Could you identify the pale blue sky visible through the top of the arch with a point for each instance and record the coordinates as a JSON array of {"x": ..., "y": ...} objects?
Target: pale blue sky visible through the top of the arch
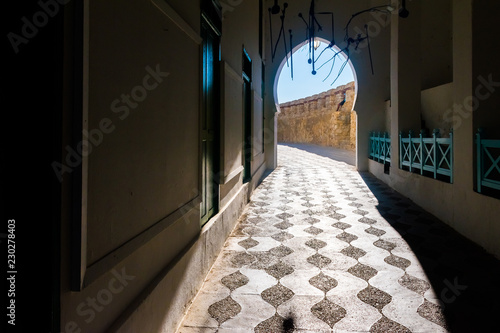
[{"x": 304, "y": 84}]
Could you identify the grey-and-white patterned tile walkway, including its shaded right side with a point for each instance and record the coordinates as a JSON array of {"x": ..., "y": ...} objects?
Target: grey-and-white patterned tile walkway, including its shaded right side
[{"x": 323, "y": 248}]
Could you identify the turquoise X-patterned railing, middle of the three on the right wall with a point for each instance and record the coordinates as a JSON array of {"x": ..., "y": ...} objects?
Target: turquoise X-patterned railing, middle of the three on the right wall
[{"x": 434, "y": 155}]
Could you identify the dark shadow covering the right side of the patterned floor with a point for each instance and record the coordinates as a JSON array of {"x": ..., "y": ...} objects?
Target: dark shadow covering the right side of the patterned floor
[{"x": 464, "y": 277}]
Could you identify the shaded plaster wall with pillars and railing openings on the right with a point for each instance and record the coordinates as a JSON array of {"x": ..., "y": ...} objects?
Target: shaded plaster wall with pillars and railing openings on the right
[{"x": 473, "y": 215}]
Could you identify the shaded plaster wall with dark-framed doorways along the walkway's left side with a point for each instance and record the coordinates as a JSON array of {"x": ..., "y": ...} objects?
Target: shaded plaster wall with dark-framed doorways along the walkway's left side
[{"x": 143, "y": 245}]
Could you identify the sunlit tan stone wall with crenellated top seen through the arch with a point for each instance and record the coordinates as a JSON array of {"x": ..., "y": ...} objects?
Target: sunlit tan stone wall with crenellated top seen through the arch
[{"x": 315, "y": 119}]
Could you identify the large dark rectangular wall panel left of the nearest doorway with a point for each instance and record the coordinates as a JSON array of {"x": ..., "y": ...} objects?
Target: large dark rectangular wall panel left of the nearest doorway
[{"x": 133, "y": 176}]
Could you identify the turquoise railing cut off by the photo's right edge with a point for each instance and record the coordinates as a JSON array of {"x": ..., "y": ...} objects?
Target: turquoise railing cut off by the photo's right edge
[{"x": 488, "y": 161}]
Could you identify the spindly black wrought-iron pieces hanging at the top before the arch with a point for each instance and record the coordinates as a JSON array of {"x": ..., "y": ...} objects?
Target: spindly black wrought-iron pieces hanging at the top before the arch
[{"x": 313, "y": 26}]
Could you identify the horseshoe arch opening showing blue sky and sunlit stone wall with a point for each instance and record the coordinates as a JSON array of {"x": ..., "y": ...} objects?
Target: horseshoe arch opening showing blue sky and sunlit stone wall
[{"x": 315, "y": 100}]
